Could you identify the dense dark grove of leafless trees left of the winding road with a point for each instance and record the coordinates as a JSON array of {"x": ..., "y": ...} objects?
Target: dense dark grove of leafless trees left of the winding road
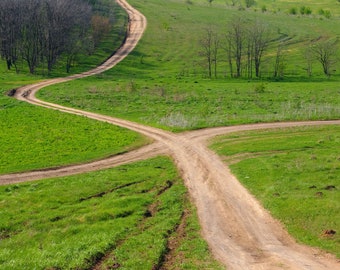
[{"x": 38, "y": 32}]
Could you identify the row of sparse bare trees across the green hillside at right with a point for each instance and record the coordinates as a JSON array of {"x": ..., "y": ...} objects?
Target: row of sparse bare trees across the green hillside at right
[{"x": 245, "y": 42}]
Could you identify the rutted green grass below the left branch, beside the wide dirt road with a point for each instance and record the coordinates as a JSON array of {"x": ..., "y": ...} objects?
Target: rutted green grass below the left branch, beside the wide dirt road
[{"x": 71, "y": 222}]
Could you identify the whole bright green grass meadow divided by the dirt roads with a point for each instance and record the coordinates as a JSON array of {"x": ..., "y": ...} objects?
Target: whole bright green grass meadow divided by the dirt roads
[{"x": 163, "y": 83}]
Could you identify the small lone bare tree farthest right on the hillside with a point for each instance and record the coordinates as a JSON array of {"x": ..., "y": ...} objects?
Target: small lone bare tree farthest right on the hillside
[{"x": 325, "y": 53}]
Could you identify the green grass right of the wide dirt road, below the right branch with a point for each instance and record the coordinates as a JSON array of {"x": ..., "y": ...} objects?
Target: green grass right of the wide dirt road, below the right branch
[{"x": 292, "y": 172}]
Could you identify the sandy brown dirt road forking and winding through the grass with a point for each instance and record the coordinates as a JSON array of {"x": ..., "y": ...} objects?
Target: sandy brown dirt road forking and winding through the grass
[{"x": 241, "y": 234}]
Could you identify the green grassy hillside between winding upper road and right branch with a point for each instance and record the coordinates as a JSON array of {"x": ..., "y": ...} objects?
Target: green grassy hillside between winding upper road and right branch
[{"x": 162, "y": 83}]
